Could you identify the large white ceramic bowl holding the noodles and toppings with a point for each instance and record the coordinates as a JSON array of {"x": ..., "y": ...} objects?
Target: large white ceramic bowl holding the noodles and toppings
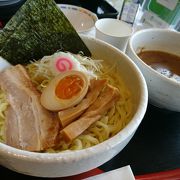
[{"x": 74, "y": 162}]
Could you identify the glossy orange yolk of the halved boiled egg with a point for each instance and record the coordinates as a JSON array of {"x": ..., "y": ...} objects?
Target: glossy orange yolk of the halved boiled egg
[{"x": 69, "y": 86}]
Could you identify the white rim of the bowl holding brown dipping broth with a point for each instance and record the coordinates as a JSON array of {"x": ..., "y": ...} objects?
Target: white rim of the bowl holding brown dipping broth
[{"x": 164, "y": 78}]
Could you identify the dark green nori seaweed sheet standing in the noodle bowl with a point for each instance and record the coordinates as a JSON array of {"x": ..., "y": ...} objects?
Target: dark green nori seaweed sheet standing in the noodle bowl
[{"x": 39, "y": 28}]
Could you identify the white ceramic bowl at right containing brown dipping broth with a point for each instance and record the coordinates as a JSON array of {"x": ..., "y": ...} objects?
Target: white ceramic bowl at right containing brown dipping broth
[{"x": 163, "y": 91}]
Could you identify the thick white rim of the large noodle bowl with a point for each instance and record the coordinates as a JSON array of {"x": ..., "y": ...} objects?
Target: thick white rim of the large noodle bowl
[{"x": 76, "y": 155}]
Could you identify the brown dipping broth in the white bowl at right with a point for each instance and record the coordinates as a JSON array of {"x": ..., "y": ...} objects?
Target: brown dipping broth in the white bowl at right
[{"x": 163, "y": 62}]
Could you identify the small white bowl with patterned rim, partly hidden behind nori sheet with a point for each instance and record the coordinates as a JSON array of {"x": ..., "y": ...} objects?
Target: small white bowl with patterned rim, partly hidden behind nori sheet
[{"x": 82, "y": 19}]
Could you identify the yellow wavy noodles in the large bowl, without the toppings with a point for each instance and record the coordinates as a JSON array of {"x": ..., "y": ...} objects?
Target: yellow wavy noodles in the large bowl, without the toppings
[{"x": 109, "y": 125}]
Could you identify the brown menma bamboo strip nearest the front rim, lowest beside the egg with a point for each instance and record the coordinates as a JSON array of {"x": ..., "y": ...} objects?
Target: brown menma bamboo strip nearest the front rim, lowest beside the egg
[{"x": 102, "y": 104}]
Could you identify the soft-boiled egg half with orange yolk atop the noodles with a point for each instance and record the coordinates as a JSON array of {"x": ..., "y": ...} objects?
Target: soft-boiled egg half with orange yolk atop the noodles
[{"x": 65, "y": 90}]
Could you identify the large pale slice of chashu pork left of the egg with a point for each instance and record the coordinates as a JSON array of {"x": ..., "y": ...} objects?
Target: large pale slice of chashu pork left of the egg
[{"x": 28, "y": 125}]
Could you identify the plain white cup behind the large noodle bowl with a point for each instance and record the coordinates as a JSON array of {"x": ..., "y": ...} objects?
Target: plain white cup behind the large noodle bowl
[{"x": 114, "y": 32}]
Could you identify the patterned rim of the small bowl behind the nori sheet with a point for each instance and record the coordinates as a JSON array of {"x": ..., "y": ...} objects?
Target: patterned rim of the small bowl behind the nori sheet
[{"x": 91, "y": 14}]
